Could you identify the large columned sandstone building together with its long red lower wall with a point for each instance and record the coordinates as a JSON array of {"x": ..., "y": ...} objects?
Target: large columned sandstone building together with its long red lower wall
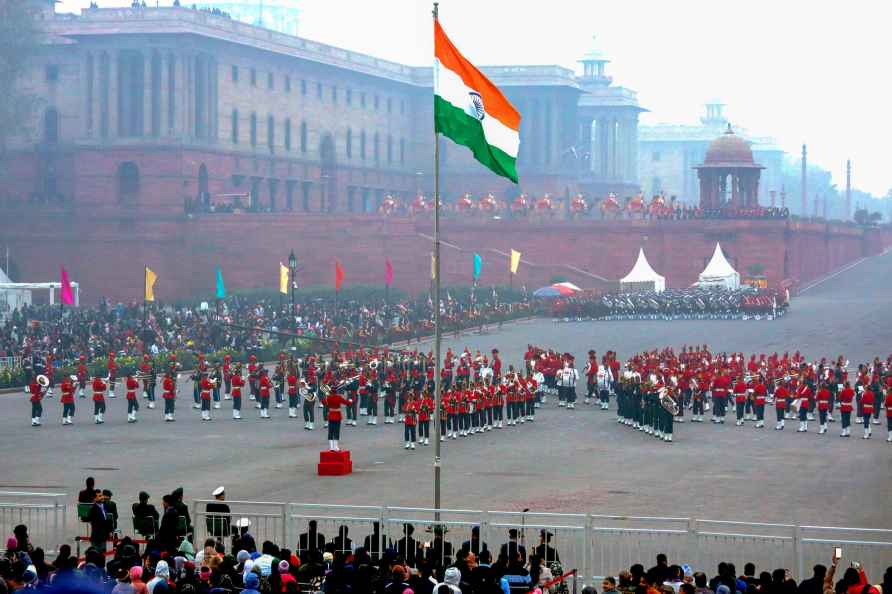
[{"x": 143, "y": 111}]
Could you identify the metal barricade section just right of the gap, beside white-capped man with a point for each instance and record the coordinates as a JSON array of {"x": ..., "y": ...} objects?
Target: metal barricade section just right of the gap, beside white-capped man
[{"x": 269, "y": 520}]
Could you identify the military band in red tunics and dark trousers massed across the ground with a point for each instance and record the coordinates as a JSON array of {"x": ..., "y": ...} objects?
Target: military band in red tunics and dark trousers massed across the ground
[{"x": 653, "y": 390}]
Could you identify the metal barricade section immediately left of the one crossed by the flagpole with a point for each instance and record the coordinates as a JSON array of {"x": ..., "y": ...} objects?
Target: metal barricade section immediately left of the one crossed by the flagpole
[{"x": 313, "y": 527}]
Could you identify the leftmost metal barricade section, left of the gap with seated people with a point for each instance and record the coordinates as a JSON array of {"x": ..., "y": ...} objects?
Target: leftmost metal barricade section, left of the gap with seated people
[{"x": 44, "y": 514}]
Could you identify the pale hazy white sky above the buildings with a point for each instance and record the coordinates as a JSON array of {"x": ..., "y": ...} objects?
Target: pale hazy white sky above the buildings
[{"x": 801, "y": 71}]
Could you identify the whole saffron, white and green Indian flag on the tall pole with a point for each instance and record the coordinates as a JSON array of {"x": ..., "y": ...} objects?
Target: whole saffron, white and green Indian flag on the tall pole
[{"x": 472, "y": 111}]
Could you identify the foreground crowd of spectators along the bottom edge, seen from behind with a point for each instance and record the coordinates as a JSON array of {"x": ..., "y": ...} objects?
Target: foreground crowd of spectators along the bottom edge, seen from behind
[{"x": 230, "y": 566}]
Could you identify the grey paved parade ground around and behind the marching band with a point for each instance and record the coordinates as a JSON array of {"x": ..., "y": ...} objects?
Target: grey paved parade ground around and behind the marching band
[{"x": 580, "y": 461}]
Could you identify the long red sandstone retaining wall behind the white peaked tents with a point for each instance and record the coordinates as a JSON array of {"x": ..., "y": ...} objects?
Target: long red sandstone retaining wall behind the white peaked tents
[{"x": 107, "y": 254}]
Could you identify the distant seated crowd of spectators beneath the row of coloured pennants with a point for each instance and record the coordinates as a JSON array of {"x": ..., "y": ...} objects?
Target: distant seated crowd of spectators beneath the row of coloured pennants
[{"x": 34, "y": 331}]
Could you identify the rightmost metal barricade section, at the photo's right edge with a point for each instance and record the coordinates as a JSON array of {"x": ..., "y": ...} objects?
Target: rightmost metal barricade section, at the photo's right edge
[{"x": 872, "y": 547}]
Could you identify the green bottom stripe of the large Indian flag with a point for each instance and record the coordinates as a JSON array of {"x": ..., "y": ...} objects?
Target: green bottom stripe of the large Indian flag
[{"x": 456, "y": 124}]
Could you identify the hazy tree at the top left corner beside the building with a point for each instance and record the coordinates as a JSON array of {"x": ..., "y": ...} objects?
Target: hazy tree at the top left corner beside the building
[{"x": 18, "y": 43}]
